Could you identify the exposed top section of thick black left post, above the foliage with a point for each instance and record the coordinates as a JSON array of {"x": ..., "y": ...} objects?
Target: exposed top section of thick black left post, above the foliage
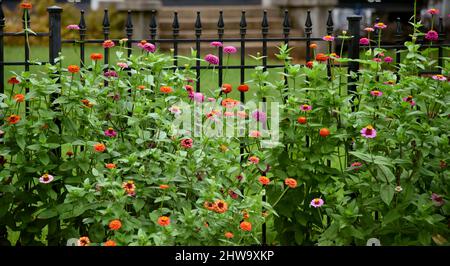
[{"x": 54, "y": 13}]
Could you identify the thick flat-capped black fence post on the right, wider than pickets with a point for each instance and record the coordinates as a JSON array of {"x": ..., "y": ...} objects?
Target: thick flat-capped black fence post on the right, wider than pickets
[{"x": 354, "y": 28}]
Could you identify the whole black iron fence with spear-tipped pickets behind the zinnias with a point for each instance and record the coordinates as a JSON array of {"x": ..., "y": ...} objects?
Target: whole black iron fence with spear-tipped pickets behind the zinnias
[{"x": 353, "y": 48}]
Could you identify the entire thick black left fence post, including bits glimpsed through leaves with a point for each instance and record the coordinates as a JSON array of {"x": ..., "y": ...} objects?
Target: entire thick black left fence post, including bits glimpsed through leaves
[{"x": 54, "y": 12}]
